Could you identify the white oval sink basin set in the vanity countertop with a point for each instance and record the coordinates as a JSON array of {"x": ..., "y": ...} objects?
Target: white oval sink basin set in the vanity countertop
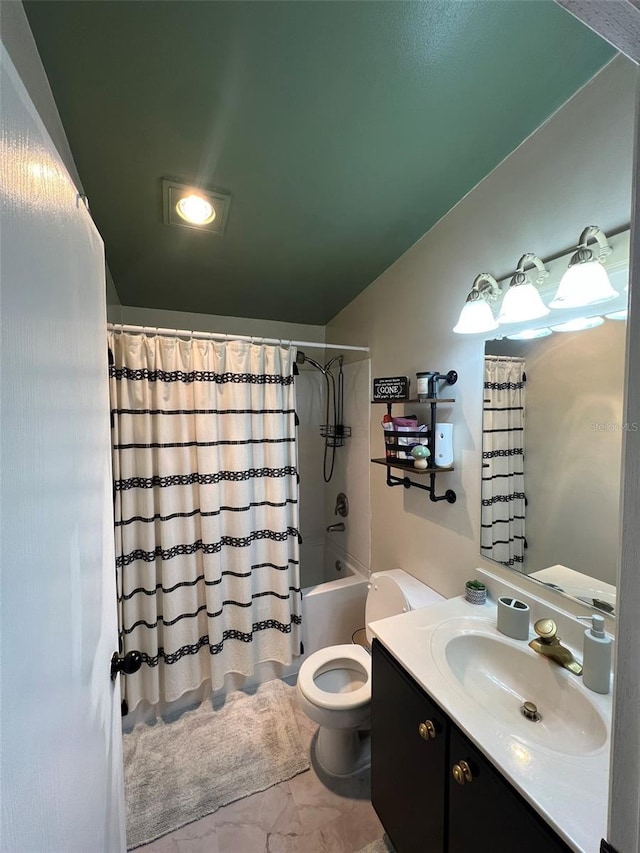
[{"x": 500, "y": 675}]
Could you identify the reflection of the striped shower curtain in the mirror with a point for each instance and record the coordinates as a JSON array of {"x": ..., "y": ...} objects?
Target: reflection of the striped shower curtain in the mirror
[{"x": 503, "y": 500}]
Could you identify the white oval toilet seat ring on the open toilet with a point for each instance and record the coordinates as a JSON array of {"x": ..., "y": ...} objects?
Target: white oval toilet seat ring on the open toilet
[{"x": 335, "y": 657}]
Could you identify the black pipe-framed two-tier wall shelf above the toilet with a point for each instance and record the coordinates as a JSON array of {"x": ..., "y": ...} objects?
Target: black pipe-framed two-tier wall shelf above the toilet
[{"x": 392, "y": 442}]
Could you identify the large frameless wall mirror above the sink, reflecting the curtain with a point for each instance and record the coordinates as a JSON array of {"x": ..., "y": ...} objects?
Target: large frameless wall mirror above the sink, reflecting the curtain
[{"x": 552, "y": 458}]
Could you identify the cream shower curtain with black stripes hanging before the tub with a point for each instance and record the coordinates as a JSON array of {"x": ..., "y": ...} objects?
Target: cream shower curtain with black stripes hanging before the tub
[{"x": 206, "y": 509}]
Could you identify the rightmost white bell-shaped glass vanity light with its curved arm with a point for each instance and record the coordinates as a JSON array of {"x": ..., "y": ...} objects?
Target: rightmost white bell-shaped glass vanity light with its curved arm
[{"x": 586, "y": 281}]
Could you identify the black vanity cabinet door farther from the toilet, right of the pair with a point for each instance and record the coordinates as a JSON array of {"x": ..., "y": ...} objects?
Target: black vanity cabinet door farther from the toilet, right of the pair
[{"x": 486, "y": 813}]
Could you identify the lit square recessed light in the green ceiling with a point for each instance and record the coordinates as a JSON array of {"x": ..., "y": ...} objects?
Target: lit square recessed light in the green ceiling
[{"x": 189, "y": 206}]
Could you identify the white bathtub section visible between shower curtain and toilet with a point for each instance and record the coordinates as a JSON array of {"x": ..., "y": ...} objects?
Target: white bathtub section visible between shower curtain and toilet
[{"x": 334, "y": 608}]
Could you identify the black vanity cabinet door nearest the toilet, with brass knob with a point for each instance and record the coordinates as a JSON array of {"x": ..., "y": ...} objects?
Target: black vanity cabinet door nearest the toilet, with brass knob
[{"x": 407, "y": 768}]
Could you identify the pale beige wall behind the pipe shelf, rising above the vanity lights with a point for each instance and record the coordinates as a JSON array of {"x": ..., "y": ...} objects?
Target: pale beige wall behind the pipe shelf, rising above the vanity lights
[{"x": 576, "y": 170}]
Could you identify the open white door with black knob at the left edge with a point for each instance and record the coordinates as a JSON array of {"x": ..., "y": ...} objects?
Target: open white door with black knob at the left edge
[{"x": 61, "y": 784}]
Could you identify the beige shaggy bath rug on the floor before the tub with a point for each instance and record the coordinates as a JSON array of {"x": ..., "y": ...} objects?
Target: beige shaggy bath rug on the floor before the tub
[{"x": 181, "y": 768}]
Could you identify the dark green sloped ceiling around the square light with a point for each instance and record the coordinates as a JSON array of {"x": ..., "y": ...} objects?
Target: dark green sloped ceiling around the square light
[{"x": 343, "y": 131}]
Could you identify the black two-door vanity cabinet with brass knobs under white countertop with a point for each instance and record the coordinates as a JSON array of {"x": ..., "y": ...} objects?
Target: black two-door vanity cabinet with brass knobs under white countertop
[{"x": 419, "y": 802}]
